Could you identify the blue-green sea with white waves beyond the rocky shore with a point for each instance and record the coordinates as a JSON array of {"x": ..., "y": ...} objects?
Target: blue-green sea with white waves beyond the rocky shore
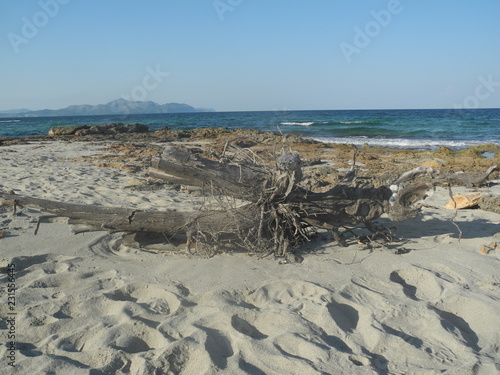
[{"x": 416, "y": 128}]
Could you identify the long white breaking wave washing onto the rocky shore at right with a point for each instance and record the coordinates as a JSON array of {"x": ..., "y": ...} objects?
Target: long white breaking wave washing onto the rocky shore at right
[{"x": 423, "y": 144}]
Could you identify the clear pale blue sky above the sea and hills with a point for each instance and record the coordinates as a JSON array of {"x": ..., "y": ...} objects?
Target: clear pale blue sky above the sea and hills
[{"x": 251, "y": 54}]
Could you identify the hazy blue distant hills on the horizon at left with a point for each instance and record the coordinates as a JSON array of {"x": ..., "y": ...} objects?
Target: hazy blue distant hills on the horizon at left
[{"x": 115, "y": 107}]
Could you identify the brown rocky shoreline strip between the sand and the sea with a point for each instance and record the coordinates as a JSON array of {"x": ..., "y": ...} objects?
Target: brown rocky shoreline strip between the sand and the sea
[{"x": 134, "y": 146}]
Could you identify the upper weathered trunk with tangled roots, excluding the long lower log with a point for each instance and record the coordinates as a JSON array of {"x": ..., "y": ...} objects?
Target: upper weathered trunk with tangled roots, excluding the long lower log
[{"x": 287, "y": 210}]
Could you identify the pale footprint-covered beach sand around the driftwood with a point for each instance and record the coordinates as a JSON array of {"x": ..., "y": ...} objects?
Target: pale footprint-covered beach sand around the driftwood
[{"x": 86, "y": 305}]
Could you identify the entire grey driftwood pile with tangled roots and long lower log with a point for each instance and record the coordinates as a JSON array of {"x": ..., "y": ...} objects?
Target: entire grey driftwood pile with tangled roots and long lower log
[{"x": 278, "y": 214}]
